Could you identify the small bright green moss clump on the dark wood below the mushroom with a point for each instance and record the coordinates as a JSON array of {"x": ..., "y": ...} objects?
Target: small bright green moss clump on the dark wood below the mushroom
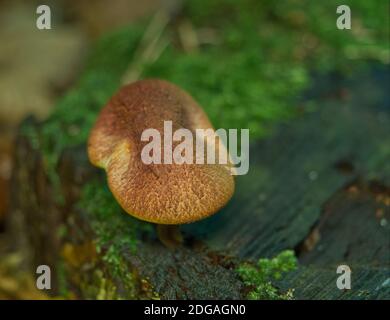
[{"x": 260, "y": 278}]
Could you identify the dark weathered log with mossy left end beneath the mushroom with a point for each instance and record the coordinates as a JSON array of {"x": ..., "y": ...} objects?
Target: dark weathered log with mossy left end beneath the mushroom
[{"x": 318, "y": 185}]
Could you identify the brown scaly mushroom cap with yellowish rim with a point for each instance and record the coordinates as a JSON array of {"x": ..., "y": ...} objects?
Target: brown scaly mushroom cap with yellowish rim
[{"x": 159, "y": 193}]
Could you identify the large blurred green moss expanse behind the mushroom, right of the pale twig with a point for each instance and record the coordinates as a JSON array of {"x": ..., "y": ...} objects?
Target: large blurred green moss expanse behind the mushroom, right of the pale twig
[{"x": 262, "y": 53}]
